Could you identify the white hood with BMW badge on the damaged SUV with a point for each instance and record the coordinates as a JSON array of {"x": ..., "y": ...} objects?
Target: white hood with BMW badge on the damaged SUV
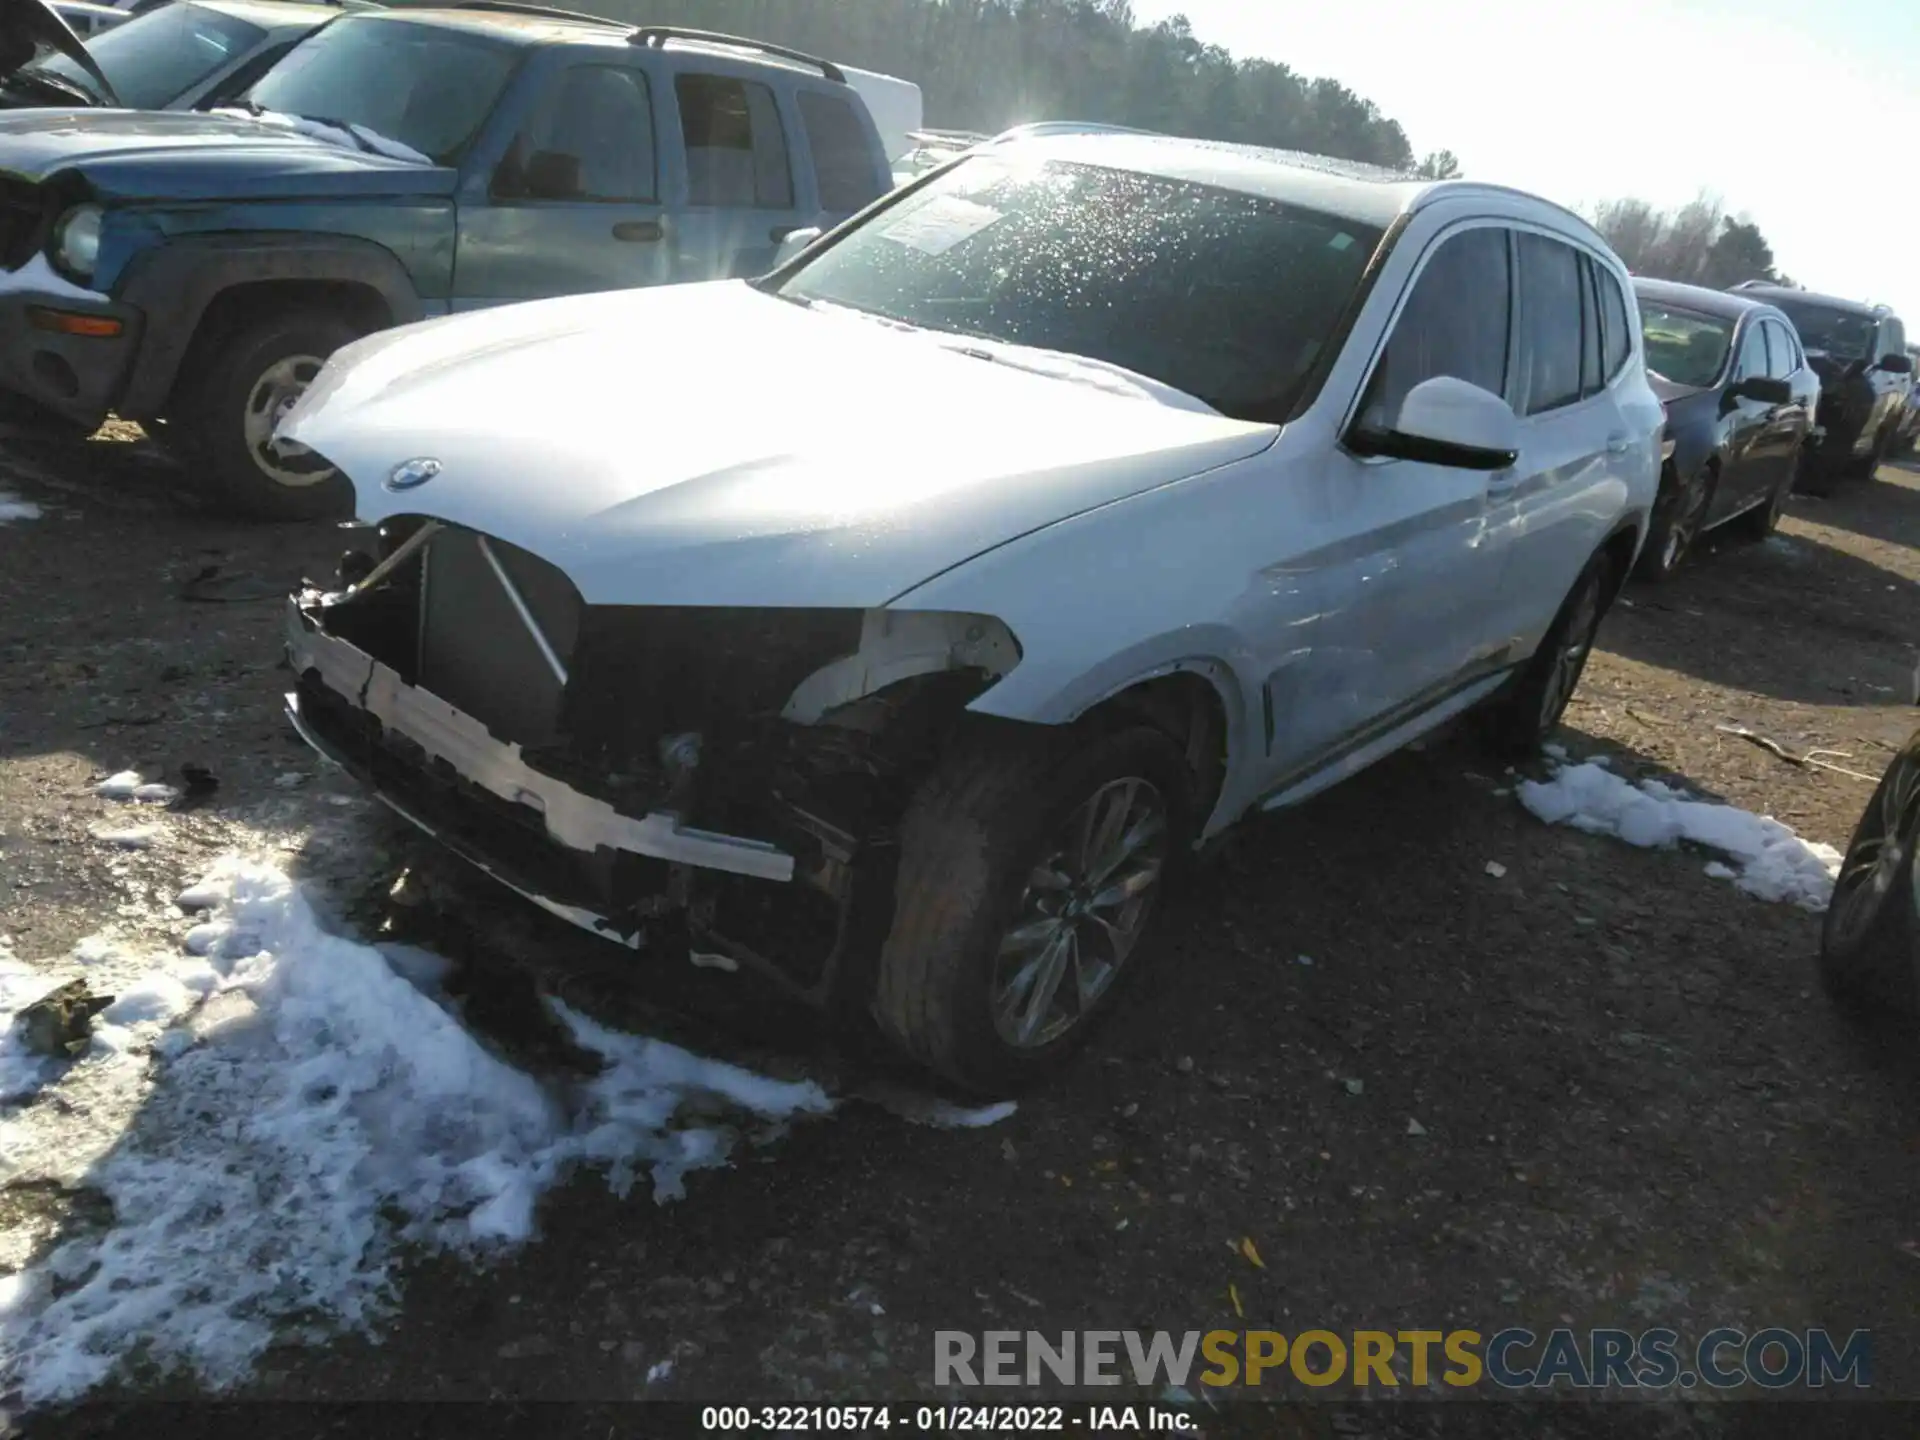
[{"x": 709, "y": 444}]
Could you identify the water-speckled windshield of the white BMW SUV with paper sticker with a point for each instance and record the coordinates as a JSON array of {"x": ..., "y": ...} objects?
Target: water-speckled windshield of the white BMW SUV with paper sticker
[{"x": 1226, "y": 297}]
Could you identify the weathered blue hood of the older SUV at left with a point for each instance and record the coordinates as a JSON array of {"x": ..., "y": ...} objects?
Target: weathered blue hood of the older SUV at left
[{"x": 172, "y": 155}]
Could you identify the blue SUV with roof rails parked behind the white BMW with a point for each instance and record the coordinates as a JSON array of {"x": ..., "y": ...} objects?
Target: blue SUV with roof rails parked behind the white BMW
[{"x": 193, "y": 272}]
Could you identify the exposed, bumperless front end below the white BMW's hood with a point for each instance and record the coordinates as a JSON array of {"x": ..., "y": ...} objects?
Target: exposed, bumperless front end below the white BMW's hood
[{"x": 669, "y": 777}]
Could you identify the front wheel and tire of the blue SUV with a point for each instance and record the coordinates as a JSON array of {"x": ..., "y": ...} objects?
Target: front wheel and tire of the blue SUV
[{"x": 252, "y": 377}]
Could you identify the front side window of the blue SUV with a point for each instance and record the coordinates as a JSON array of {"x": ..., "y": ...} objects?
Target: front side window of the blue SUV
[{"x": 592, "y": 139}]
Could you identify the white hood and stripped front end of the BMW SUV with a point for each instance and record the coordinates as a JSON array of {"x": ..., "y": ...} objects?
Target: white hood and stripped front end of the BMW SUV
[{"x": 650, "y": 658}]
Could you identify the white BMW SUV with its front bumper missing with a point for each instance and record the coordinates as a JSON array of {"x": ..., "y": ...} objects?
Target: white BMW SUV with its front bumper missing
[{"x": 896, "y": 625}]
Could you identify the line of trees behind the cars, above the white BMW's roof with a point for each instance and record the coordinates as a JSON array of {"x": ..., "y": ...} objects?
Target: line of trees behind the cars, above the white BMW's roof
[{"x": 992, "y": 64}]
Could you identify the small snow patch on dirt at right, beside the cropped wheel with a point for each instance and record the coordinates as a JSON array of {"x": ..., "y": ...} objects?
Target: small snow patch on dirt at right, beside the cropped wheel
[{"x": 1767, "y": 857}]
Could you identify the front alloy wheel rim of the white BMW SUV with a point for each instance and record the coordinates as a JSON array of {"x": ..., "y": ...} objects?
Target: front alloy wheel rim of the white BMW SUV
[{"x": 1082, "y": 913}]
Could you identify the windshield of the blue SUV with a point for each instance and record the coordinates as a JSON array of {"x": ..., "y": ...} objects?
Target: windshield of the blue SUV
[{"x": 423, "y": 85}]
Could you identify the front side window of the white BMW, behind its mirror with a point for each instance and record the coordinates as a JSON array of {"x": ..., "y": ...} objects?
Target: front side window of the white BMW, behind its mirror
[{"x": 1454, "y": 324}]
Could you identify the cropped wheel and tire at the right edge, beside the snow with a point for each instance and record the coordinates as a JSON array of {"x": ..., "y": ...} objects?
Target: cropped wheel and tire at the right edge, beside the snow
[{"x": 1871, "y": 936}]
